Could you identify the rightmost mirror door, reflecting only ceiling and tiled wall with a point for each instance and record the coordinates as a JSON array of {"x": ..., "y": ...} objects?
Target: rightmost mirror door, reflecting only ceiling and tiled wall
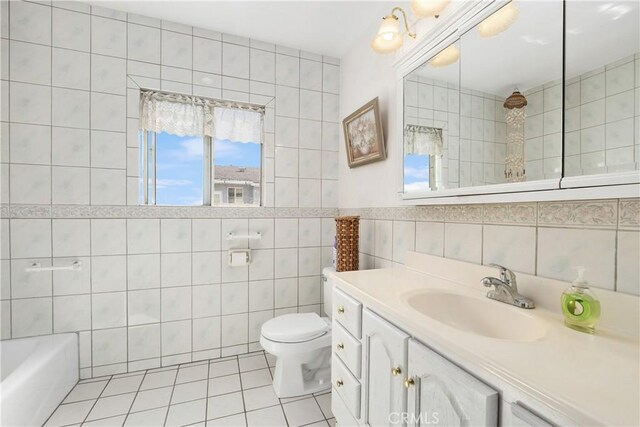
[{"x": 602, "y": 93}]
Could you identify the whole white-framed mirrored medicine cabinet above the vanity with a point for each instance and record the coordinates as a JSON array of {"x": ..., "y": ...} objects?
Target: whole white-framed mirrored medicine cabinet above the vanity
[{"x": 524, "y": 96}]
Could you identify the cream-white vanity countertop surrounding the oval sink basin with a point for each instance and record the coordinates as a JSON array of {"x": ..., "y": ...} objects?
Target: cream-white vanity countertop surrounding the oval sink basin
[{"x": 589, "y": 379}]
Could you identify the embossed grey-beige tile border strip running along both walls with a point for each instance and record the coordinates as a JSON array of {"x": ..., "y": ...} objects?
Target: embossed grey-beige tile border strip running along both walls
[{"x": 609, "y": 213}]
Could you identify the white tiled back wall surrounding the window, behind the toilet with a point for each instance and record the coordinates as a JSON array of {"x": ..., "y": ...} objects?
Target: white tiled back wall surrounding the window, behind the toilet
[{"x": 153, "y": 291}]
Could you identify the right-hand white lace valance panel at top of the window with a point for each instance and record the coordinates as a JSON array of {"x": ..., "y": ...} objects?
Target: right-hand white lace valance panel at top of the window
[{"x": 238, "y": 125}]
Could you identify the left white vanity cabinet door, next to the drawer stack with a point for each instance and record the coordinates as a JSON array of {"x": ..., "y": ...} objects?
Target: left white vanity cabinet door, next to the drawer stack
[{"x": 384, "y": 364}]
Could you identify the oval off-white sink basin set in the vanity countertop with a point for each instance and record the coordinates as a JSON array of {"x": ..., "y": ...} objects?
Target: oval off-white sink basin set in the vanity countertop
[{"x": 478, "y": 316}]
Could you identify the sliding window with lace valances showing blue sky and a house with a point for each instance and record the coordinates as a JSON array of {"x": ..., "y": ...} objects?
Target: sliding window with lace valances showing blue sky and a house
[{"x": 198, "y": 151}]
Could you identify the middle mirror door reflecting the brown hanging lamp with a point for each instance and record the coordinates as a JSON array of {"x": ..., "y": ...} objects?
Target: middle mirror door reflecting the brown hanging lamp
[{"x": 511, "y": 95}]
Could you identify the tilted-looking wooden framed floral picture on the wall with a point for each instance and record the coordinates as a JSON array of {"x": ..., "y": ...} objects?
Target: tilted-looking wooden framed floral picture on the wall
[{"x": 363, "y": 135}]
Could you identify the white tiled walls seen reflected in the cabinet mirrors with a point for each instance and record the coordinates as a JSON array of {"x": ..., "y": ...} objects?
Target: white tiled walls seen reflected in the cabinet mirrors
[{"x": 600, "y": 135}]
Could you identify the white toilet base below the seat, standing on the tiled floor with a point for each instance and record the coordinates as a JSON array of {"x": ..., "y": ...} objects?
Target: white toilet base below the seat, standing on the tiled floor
[{"x": 302, "y": 374}]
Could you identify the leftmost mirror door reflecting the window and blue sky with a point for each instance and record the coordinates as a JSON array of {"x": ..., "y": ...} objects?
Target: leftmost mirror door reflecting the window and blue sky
[{"x": 431, "y": 123}]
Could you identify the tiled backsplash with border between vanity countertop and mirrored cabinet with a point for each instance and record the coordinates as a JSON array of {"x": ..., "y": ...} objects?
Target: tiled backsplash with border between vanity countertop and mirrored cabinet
[{"x": 603, "y": 236}]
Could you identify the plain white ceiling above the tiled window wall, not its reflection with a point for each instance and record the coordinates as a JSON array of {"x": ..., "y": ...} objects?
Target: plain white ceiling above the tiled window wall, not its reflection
[{"x": 325, "y": 27}]
